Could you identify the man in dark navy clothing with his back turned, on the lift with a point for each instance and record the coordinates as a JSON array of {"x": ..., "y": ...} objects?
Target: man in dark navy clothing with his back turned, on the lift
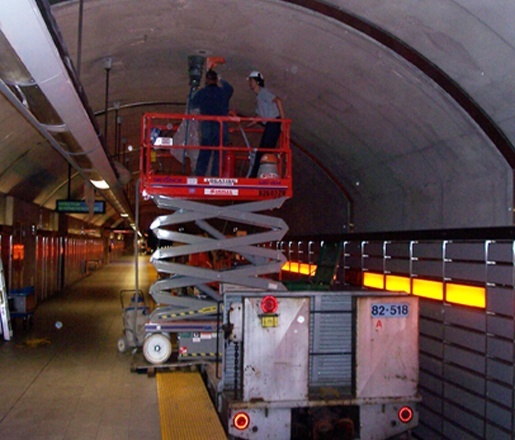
[{"x": 212, "y": 100}]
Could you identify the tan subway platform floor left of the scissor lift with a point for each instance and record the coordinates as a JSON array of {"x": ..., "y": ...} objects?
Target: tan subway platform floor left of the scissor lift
[{"x": 70, "y": 381}]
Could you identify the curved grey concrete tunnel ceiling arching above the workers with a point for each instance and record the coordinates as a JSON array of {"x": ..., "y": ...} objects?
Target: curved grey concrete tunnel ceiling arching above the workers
[{"x": 401, "y": 110}]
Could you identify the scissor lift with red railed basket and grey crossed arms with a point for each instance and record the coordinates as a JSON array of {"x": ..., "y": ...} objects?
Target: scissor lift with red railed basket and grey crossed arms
[{"x": 170, "y": 150}]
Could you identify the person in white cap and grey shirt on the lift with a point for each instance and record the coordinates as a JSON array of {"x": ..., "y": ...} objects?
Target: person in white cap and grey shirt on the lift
[{"x": 268, "y": 106}]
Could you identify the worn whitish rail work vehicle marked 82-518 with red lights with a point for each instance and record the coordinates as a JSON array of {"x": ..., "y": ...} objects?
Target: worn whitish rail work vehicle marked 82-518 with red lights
[{"x": 319, "y": 365}]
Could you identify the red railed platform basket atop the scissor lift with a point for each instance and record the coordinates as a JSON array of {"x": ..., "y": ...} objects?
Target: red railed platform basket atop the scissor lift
[{"x": 166, "y": 162}]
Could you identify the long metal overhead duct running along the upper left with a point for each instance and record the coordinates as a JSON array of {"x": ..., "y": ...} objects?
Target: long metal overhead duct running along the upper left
[{"x": 35, "y": 78}]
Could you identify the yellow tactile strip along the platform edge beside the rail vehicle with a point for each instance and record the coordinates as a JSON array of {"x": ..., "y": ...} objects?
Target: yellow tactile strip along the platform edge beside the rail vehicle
[{"x": 185, "y": 408}]
